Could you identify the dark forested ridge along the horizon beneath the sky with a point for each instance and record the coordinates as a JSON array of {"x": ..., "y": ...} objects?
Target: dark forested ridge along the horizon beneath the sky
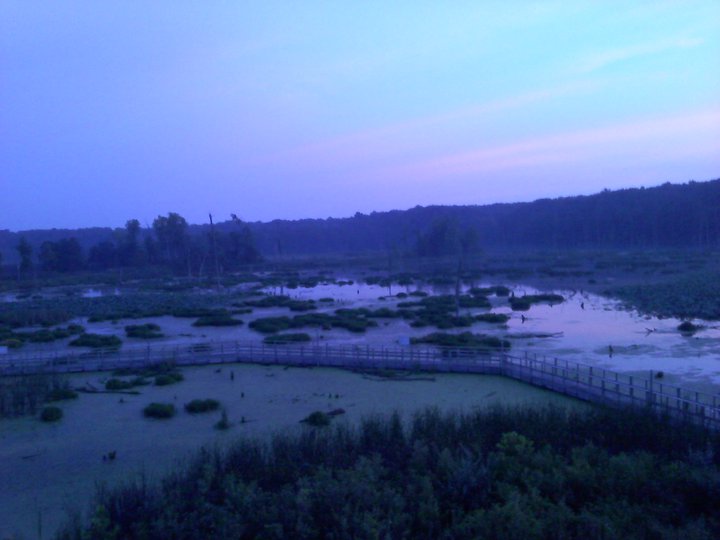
[{"x": 671, "y": 215}]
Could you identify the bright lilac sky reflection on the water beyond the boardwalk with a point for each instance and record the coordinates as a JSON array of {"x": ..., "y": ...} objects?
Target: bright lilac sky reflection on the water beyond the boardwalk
[{"x": 583, "y": 328}]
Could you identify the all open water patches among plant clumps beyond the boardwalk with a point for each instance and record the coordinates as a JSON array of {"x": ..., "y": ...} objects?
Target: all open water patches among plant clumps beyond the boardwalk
[{"x": 585, "y": 328}]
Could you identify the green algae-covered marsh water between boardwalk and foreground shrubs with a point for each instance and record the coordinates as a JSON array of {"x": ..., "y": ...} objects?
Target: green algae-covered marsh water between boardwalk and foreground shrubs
[{"x": 50, "y": 470}]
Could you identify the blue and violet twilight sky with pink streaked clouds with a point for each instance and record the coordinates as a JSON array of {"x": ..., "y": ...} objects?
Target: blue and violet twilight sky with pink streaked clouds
[{"x": 284, "y": 110}]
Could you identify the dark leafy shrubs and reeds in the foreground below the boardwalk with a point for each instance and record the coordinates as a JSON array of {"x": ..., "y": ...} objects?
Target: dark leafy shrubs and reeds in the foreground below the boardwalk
[{"x": 524, "y": 474}]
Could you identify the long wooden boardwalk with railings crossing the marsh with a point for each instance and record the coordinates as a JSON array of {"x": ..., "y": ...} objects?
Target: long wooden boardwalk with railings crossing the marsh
[{"x": 570, "y": 378}]
